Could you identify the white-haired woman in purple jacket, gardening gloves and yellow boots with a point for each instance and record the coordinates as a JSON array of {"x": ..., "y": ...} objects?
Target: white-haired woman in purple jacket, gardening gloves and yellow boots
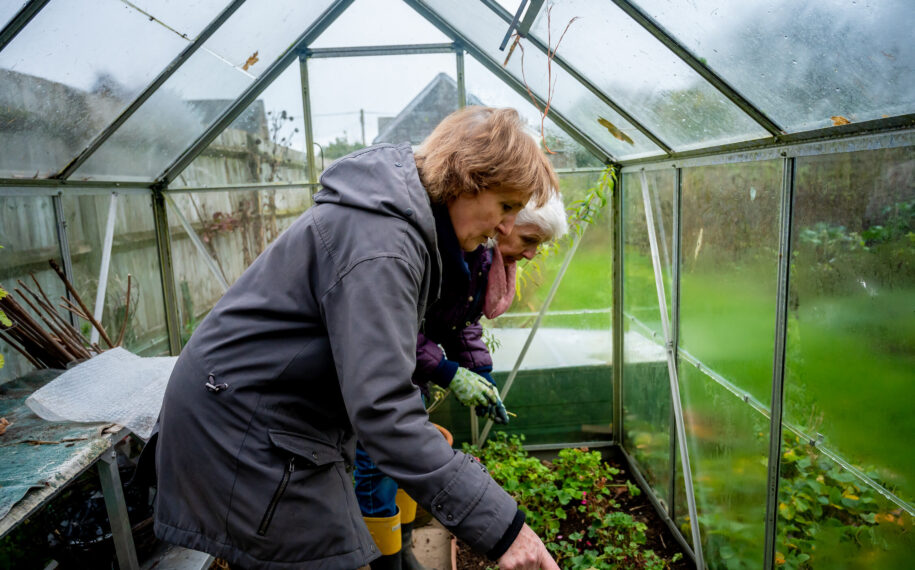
[{"x": 451, "y": 353}]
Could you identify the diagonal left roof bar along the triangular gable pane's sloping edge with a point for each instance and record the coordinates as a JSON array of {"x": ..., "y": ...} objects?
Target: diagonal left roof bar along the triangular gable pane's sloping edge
[{"x": 252, "y": 92}]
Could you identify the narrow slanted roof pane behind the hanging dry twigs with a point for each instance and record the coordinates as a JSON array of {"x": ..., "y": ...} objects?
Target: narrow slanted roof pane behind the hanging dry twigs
[{"x": 486, "y": 30}]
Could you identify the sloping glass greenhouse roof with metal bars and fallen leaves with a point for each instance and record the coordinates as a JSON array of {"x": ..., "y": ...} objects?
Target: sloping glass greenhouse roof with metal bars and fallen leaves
[{"x": 629, "y": 81}]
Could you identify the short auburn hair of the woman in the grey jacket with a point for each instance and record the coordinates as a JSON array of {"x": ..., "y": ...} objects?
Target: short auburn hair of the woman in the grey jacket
[{"x": 482, "y": 148}]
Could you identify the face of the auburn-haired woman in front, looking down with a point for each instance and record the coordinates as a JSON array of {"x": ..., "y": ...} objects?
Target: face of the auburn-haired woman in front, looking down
[{"x": 488, "y": 214}]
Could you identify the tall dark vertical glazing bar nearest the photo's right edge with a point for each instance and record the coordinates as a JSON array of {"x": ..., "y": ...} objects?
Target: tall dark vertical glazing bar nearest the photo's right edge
[{"x": 778, "y": 363}]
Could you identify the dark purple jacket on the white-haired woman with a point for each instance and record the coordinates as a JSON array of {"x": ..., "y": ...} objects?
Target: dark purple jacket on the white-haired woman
[{"x": 453, "y": 321}]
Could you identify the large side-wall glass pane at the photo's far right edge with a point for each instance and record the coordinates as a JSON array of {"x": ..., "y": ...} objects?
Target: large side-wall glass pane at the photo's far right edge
[{"x": 851, "y": 335}]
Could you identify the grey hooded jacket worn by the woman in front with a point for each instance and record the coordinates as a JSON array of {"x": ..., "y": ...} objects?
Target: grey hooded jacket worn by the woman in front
[{"x": 313, "y": 346}]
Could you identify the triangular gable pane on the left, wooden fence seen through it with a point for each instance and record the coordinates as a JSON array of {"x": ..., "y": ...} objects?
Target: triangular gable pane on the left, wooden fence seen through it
[{"x": 264, "y": 144}]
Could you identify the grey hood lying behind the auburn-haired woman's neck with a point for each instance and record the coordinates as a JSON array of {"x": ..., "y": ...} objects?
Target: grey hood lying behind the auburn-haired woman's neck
[{"x": 381, "y": 178}]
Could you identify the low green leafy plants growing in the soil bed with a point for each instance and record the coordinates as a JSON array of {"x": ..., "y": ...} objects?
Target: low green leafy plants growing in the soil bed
[{"x": 585, "y": 511}]
